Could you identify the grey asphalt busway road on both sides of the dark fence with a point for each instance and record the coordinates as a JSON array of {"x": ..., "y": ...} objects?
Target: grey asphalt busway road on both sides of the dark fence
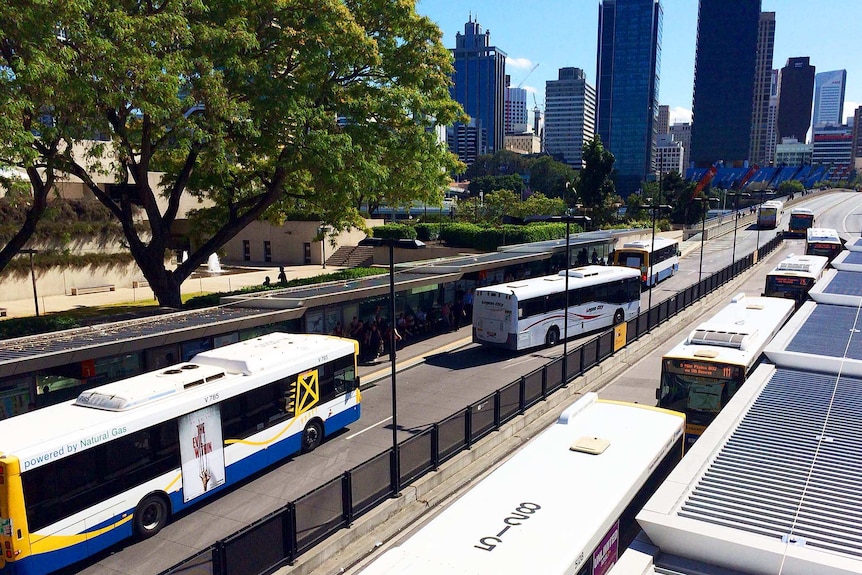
[{"x": 442, "y": 382}]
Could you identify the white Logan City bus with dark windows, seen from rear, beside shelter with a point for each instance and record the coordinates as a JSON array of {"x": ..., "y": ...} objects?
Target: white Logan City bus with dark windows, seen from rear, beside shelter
[{"x": 527, "y": 313}]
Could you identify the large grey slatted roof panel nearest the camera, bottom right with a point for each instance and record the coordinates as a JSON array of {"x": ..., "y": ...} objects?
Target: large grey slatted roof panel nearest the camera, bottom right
[{"x": 756, "y": 482}]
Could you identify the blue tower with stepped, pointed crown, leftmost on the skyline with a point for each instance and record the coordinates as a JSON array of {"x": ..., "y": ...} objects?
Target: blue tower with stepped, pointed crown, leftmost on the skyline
[{"x": 479, "y": 82}]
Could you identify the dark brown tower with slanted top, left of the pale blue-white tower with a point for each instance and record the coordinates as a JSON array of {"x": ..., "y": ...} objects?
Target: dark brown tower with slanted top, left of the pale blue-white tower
[{"x": 795, "y": 92}]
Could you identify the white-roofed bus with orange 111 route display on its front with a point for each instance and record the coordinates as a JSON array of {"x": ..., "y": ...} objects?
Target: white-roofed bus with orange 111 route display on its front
[{"x": 703, "y": 372}]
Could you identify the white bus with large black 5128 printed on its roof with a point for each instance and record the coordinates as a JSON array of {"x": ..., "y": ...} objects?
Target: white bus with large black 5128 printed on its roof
[{"x": 563, "y": 504}]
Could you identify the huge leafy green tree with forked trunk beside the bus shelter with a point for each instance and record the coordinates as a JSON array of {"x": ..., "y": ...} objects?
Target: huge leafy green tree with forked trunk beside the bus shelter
[{"x": 255, "y": 107}]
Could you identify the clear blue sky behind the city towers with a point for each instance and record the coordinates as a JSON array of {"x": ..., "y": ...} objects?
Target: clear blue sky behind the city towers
[{"x": 559, "y": 33}]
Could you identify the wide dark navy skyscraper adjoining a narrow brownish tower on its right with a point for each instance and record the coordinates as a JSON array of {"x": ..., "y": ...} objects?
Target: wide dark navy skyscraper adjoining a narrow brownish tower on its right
[{"x": 724, "y": 66}]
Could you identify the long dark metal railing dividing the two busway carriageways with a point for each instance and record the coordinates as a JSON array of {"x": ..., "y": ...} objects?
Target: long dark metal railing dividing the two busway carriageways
[{"x": 285, "y": 534}]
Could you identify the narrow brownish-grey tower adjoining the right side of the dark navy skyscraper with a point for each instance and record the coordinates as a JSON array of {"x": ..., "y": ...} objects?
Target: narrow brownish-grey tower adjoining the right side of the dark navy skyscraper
[{"x": 762, "y": 85}]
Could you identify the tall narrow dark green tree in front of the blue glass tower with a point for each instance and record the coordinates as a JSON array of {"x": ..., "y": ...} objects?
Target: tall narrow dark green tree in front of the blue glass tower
[{"x": 596, "y": 190}]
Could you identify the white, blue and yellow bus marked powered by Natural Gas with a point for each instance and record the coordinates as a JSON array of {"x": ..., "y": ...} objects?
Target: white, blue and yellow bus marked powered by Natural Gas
[{"x": 120, "y": 459}]
